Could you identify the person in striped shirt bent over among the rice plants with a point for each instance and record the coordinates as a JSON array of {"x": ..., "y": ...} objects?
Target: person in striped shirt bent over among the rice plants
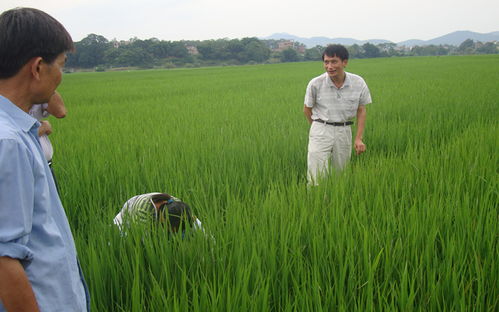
[{"x": 157, "y": 208}]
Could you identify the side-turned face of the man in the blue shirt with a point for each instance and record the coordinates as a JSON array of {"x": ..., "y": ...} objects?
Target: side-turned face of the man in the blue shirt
[{"x": 50, "y": 77}]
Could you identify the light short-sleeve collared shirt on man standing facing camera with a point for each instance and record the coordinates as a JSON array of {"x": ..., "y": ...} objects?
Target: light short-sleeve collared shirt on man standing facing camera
[{"x": 333, "y": 104}]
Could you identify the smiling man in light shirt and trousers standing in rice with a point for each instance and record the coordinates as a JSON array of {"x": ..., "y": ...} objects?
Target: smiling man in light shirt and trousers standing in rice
[{"x": 332, "y": 101}]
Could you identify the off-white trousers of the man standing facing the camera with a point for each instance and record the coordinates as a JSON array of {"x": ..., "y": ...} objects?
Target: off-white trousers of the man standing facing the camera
[{"x": 327, "y": 142}]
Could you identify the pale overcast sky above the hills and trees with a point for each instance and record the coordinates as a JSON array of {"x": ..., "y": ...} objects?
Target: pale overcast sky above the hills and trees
[{"x": 394, "y": 20}]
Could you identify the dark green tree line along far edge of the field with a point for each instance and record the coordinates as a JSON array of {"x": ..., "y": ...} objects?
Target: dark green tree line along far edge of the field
[{"x": 96, "y": 52}]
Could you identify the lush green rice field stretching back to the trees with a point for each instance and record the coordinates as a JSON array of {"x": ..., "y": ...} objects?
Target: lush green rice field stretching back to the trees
[{"x": 411, "y": 225}]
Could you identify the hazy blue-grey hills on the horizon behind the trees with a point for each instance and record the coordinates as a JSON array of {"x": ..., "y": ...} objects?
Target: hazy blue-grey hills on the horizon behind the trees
[{"x": 454, "y": 38}]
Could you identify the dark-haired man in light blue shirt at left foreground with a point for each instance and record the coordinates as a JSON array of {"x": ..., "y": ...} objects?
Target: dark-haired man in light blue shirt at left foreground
[{"x": 39, "y": 270}]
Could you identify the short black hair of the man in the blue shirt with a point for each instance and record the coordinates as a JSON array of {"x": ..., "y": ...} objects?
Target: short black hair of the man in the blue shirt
[{"x": 26, "y": 33}]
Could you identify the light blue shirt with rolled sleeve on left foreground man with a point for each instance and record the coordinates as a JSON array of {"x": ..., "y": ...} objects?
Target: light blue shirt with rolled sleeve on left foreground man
[{"x": 33, "y": 225}]
